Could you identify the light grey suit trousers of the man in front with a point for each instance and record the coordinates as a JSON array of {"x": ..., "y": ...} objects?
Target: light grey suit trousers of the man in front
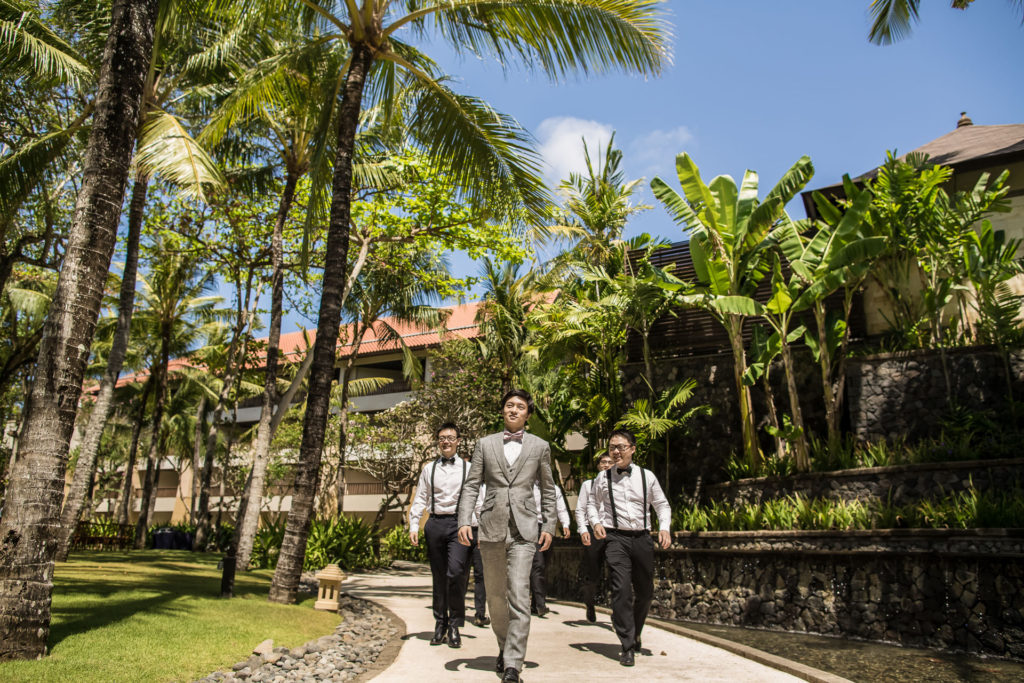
[{"x": 507, "y": 564}]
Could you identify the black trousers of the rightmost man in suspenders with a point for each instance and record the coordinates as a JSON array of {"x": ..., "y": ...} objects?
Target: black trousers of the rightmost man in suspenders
[{"x": 631, "y": 566}]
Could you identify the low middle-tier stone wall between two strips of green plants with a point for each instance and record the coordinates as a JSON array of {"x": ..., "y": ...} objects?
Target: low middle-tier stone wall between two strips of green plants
[{"x": 900, "y": 485}]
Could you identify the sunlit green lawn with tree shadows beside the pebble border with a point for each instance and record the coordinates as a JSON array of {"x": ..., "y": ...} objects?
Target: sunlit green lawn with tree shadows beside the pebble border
[{"x": 156, "y": 616}]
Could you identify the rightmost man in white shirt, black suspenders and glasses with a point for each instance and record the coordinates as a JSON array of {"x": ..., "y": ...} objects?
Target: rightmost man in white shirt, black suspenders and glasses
[{"x": 627, "y": 492}]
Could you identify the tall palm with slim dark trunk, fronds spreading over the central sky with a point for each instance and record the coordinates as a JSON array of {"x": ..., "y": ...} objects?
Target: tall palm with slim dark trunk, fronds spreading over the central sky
[{"x": 483, "y": 150}]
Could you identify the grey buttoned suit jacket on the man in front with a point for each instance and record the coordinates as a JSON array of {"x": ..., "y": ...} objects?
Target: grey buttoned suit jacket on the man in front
[{"x": 510, "y": 490}]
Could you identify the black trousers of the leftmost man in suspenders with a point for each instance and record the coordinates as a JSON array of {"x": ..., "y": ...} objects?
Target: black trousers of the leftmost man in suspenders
[{"x": 448, "y": 562}]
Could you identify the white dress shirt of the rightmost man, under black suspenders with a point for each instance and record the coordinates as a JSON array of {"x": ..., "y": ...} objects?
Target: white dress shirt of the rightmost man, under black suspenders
[{"x": 629, "y": 495}]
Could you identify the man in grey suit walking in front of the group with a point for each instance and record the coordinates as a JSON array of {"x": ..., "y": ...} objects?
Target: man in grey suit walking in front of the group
[{"x": 509, "y": 463}]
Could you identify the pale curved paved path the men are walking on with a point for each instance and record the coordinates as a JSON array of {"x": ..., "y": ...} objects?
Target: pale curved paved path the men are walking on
[{"x": 564, "y": 647}]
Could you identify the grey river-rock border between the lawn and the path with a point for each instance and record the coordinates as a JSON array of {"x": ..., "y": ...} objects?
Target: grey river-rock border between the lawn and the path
[{"x": 366, "y": 643}]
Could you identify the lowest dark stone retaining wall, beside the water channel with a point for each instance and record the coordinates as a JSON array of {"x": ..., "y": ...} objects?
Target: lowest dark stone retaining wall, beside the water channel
[{"x": 933, "y": 588}]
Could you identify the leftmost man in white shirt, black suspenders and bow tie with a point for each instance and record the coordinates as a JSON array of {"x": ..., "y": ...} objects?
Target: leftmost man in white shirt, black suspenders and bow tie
[{"x": 440, "y": 489}]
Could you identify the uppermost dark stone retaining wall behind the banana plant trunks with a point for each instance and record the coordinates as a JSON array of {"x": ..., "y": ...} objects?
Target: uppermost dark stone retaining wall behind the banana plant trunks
[{"x": 887, "y": 397}]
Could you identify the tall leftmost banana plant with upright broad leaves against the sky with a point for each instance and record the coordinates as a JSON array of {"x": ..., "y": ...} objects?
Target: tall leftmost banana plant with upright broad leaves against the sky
[{"x": 728, "y": 229}]
